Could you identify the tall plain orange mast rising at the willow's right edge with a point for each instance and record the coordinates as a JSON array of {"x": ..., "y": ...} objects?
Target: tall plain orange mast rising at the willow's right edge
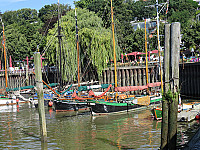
[{"x": 115, "y": 66}]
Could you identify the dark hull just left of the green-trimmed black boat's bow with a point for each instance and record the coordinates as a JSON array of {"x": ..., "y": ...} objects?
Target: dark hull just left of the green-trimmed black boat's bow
[{"x": 64, "y": 106}]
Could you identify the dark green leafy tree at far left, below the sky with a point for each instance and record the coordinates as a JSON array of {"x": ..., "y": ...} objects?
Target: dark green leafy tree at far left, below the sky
[{"x": 22, "y": 33}]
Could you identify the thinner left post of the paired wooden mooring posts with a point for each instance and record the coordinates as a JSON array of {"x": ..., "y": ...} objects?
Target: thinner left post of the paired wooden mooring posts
[{"x": 165, "y": 101}]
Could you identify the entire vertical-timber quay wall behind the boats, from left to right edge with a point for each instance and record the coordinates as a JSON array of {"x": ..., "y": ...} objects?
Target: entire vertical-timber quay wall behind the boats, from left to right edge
[{"x": 189, "y": 77}]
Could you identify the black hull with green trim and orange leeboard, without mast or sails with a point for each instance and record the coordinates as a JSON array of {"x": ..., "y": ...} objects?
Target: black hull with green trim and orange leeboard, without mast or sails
[{"x": 104, "y": 107}]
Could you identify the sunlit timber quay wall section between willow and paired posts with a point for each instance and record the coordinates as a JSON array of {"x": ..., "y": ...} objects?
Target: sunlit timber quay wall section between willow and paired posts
[{"x": 131, "y": 75}]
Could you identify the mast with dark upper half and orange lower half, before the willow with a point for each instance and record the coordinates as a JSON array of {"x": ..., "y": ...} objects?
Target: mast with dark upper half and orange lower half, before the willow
[{"x": 77, "y": 46}]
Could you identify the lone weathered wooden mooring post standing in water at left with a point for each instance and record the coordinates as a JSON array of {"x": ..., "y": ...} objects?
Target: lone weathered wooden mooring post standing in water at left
[{"x": 39, "y": 86}]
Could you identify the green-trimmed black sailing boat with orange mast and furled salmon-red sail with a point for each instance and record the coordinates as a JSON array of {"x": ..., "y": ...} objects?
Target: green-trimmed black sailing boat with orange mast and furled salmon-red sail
[{"x": 123, "y": 102}]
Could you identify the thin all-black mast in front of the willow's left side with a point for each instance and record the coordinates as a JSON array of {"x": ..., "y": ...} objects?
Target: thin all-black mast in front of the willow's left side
[{"x": 59, "y": 42}]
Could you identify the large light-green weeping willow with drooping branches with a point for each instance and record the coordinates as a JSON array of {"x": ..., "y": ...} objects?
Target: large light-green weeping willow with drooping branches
[{"x": 95, "y": 44}]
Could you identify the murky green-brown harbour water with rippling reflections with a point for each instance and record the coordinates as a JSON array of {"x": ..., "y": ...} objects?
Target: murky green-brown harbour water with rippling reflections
[{"x": 19, "y": 129}]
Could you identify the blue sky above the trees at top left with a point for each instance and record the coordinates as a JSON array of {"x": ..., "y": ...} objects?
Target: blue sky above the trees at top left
[{"x": 10, "y": 5}]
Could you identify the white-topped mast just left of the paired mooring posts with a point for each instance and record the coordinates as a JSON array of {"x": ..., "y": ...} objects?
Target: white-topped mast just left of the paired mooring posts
[{"x": 158, "y": 36}]
